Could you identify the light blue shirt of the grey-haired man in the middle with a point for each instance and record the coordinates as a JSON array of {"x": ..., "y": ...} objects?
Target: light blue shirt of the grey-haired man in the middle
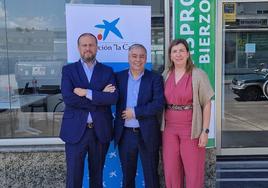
[{"x": 133, "y": 88}]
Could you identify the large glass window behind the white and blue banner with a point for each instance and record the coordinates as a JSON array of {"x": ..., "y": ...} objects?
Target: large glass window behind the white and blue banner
[{"x": 33, "y": 51}]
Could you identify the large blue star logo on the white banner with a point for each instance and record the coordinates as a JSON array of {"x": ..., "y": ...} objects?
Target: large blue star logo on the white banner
[{"x": 110, "y": 26}]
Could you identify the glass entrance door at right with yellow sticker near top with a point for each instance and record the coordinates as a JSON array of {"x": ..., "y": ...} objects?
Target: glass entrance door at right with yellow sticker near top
[{"x": 243, "y": 53}]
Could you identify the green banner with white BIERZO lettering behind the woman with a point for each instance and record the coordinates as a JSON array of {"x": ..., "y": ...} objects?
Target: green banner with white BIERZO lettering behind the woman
[{"x": 194, "y": 20}]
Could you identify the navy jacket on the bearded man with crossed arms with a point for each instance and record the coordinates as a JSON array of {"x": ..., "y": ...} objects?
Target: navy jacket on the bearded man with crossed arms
[{"x": 77, "y": 108}]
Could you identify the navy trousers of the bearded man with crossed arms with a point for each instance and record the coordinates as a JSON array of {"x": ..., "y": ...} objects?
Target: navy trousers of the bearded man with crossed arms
[{"x": 75, "y": 157}]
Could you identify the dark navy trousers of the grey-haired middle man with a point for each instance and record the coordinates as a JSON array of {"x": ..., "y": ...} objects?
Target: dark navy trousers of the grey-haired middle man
[{"x": 130, "y": 145}]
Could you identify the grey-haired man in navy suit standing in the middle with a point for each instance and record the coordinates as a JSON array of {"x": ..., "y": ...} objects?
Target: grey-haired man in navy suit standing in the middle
[{"x": 137, "y": 130}]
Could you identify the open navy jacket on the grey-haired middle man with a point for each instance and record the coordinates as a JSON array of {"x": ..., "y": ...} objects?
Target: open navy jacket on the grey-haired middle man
[{"x": 150, "y": 104}]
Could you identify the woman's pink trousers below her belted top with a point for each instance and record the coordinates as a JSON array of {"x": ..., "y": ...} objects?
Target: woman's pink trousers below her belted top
[{"x": 182, "y": 158}]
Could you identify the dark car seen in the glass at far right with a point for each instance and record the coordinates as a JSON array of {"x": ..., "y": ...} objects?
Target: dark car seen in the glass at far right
[{"x": 249, "y": 87}]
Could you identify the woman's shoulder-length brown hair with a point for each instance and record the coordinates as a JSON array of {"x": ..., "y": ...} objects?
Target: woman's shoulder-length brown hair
[{"x": 189, "y": 63}]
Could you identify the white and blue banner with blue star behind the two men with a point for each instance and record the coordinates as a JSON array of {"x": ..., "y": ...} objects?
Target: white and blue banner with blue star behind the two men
[{"x": 116, "y": 27}]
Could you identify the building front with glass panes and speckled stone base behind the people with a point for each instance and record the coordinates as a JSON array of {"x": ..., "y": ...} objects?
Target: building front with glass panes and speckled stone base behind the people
[{"x": 33, "y": 50}]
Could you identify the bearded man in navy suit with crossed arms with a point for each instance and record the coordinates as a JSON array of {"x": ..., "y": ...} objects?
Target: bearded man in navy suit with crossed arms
[{"x": 88, "y": 90}]
